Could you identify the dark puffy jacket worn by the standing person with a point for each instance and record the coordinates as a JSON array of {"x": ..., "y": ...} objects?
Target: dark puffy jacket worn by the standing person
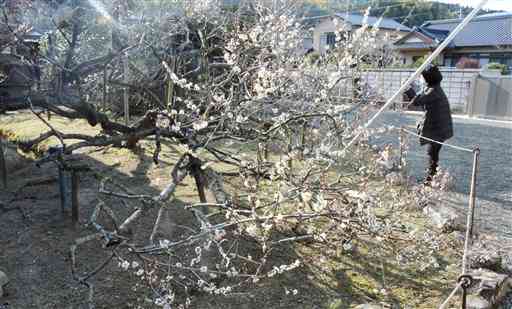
[{"x": 437, "y": 123}]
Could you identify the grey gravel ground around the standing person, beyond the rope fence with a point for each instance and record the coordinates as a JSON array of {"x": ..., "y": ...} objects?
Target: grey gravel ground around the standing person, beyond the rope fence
[{"x": 494, "y": 186}]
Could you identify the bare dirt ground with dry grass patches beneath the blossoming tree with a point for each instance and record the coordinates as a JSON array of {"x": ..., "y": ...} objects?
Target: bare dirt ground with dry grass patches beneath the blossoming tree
[{"x": 35, "y": 240}]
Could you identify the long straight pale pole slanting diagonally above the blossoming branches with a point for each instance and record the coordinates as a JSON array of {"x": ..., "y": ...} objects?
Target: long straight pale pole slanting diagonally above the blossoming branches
[{"x": 416, "y": 74}]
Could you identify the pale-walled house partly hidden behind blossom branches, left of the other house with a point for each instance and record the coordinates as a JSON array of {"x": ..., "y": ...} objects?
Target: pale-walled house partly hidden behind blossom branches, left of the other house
[{"x": 322, "y": 36}]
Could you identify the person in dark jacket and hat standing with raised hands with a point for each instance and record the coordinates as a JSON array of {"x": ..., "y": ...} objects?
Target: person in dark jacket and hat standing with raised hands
[{"x": 437, "y": 123}]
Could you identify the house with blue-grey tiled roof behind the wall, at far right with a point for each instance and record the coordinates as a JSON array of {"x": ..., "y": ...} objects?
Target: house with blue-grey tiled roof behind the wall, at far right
[{"x": 487, "y": 38}]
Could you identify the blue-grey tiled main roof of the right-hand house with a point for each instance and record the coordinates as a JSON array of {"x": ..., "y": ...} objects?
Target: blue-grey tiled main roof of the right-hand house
[{"x": 486, "y": 30}]
